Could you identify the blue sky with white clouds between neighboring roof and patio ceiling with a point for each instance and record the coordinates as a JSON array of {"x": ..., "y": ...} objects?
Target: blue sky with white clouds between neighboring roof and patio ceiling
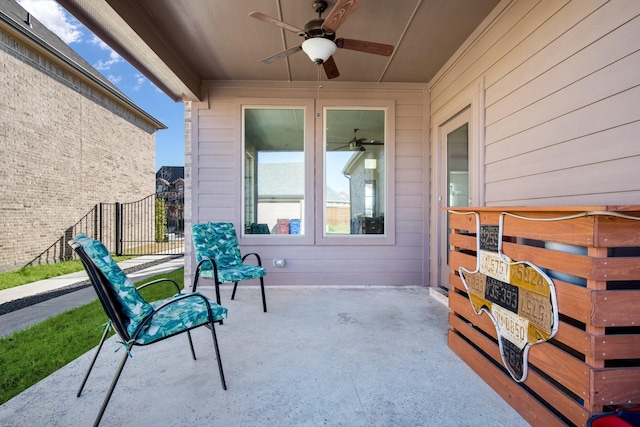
[{"x": 169, "y": 142}]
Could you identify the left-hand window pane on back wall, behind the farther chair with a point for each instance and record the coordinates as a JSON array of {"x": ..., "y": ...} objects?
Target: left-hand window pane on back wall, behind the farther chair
[{"x": 274, "y": 171}]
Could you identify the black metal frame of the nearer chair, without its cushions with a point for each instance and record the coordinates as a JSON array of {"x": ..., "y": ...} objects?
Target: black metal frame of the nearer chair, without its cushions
[{"x": 117, "y": 321}]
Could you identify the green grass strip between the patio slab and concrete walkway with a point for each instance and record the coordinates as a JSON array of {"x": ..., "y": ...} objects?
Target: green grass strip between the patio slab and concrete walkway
[{"x": 30, "y": 355}]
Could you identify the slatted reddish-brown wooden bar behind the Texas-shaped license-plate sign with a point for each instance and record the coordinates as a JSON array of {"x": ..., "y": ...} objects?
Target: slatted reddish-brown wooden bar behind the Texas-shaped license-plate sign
[{"x": 592, "y": 364}]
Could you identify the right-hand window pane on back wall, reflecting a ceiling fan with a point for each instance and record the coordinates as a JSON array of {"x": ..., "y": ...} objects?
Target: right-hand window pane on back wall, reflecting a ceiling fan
[{"x": 354, "y": 171}]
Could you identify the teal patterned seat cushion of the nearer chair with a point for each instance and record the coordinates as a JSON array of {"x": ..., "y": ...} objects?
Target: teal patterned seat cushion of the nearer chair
[{"x": 186, "y": 313}]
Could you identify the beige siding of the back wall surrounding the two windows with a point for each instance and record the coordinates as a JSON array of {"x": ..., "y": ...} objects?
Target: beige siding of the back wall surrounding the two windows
[{"x": 215, "y": 165}]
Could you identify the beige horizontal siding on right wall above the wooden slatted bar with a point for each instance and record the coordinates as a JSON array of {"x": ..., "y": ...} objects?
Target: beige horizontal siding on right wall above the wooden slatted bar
[{"x": 561, "y": 96}]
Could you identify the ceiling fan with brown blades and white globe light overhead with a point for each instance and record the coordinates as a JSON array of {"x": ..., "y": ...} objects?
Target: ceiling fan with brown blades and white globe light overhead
[{"x": 320, "y": 36}]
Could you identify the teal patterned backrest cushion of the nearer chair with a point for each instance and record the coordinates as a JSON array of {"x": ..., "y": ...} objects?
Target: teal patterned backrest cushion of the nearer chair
[{"x": 133, "y": 304}]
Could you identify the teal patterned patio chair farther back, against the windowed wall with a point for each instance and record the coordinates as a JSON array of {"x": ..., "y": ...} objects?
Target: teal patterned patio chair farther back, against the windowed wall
[{"x": 219, "y": 258}]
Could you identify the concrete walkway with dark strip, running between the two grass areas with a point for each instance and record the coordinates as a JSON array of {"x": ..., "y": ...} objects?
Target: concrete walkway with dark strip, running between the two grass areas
[{"x": 26, "y": 305}]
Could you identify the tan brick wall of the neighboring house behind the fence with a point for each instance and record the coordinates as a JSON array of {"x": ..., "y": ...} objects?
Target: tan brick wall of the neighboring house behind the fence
[{"x": 64, "y": 147}]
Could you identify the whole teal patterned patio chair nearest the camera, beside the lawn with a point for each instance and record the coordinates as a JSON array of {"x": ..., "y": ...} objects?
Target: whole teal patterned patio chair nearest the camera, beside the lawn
[{"x": 136, "y": 321}]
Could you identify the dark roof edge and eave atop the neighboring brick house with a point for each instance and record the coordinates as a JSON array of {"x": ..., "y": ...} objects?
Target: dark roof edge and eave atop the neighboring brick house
[{"x": 21, "y": 24}]
